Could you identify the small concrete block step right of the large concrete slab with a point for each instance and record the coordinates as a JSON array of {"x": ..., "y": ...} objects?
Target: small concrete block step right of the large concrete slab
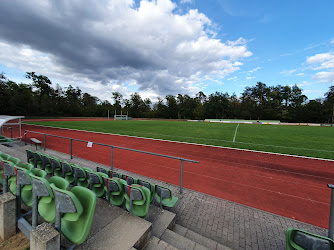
[{"x": 160, "y": 219}]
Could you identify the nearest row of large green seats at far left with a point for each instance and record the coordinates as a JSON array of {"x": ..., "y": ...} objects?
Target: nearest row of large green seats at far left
[{"x": 75, "y": 224}]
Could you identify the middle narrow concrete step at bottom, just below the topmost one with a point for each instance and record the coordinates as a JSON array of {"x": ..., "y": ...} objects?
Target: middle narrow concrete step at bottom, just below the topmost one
[{"x": 180, "y": 242}]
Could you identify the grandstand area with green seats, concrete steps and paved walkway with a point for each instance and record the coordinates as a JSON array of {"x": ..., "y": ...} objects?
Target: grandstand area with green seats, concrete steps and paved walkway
[{"x": 191, "y": 220}]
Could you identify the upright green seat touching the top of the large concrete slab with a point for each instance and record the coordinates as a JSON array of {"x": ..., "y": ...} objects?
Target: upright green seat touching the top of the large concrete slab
[{"x": 137, "y": 199}]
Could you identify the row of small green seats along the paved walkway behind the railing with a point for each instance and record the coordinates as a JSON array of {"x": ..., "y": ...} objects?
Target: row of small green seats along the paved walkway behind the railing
[{"x": 106, "y": 183}]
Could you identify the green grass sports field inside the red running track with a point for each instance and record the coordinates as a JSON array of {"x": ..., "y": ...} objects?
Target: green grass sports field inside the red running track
[{"x": 295, "y": 140}]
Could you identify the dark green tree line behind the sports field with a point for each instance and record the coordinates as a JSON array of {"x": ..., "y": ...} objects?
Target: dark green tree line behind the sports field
[{"x": 284, "y": 103}]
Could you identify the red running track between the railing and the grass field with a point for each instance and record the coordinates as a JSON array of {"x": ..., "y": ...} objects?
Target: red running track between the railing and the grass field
[{"x": 289, "y": 186}]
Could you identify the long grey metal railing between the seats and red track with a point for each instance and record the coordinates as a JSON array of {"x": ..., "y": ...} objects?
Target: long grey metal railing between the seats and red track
[{"x": 112, "y": 151}]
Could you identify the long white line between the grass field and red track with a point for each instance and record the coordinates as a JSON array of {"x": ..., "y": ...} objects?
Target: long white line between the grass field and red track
[{"x": 192, "y": 143}]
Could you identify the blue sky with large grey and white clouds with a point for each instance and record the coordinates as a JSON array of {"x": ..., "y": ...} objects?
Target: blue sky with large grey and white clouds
[{"x": 162, "y": 47}]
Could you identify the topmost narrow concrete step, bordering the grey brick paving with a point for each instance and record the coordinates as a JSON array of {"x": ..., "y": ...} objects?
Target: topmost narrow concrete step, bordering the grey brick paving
[{"x": 191, "y": 235}]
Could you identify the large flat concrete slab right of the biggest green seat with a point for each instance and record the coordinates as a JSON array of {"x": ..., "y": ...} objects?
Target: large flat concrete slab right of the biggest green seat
[{"x": 115, "y": 228}]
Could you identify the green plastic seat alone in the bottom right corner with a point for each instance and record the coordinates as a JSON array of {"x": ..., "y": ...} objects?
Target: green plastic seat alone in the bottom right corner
[{"x": 297, "y": 239}]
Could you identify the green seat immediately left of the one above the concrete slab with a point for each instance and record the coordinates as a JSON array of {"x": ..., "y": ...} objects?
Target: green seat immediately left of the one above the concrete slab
[{"x": 115, "y": 190}]
